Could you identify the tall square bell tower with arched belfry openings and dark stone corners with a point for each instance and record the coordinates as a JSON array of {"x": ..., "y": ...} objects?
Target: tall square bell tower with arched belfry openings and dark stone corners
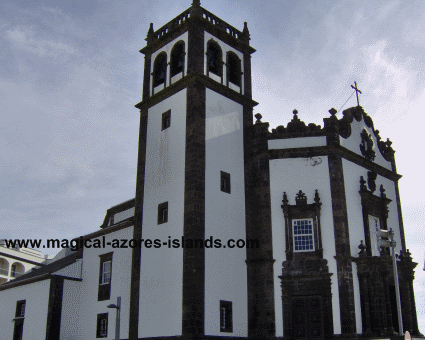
[{"x": 192, "y": 184}]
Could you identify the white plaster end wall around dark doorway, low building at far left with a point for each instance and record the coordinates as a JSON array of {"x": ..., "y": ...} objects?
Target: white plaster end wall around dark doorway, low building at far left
[{"x": 37, "y": 298}]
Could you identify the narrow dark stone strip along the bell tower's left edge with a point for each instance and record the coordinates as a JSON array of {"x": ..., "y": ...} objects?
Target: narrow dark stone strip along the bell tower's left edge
[{"x": 137, "y": 231}]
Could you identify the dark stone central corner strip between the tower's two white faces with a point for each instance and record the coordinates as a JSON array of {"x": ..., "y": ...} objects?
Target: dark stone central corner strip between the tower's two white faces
[{"x": 193, "y": 317}]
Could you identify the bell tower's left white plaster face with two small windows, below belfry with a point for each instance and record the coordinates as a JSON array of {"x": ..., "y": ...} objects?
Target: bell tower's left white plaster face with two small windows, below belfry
[{"x": 161, "y": 275}]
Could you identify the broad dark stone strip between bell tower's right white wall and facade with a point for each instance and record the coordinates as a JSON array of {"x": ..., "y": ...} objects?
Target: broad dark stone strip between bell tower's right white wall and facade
[{"x": 260, "y": 274}]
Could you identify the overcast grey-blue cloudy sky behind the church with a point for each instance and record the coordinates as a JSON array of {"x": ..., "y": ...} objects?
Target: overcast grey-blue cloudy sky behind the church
[{"x": 71, "y": 73}]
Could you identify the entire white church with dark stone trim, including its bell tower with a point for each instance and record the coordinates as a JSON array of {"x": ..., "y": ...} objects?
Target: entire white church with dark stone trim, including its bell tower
[{"x": 314, "y": 199}]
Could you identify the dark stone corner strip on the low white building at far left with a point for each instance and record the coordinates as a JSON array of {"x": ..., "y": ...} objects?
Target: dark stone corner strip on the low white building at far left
[{"x": 54, "y": 310}]
